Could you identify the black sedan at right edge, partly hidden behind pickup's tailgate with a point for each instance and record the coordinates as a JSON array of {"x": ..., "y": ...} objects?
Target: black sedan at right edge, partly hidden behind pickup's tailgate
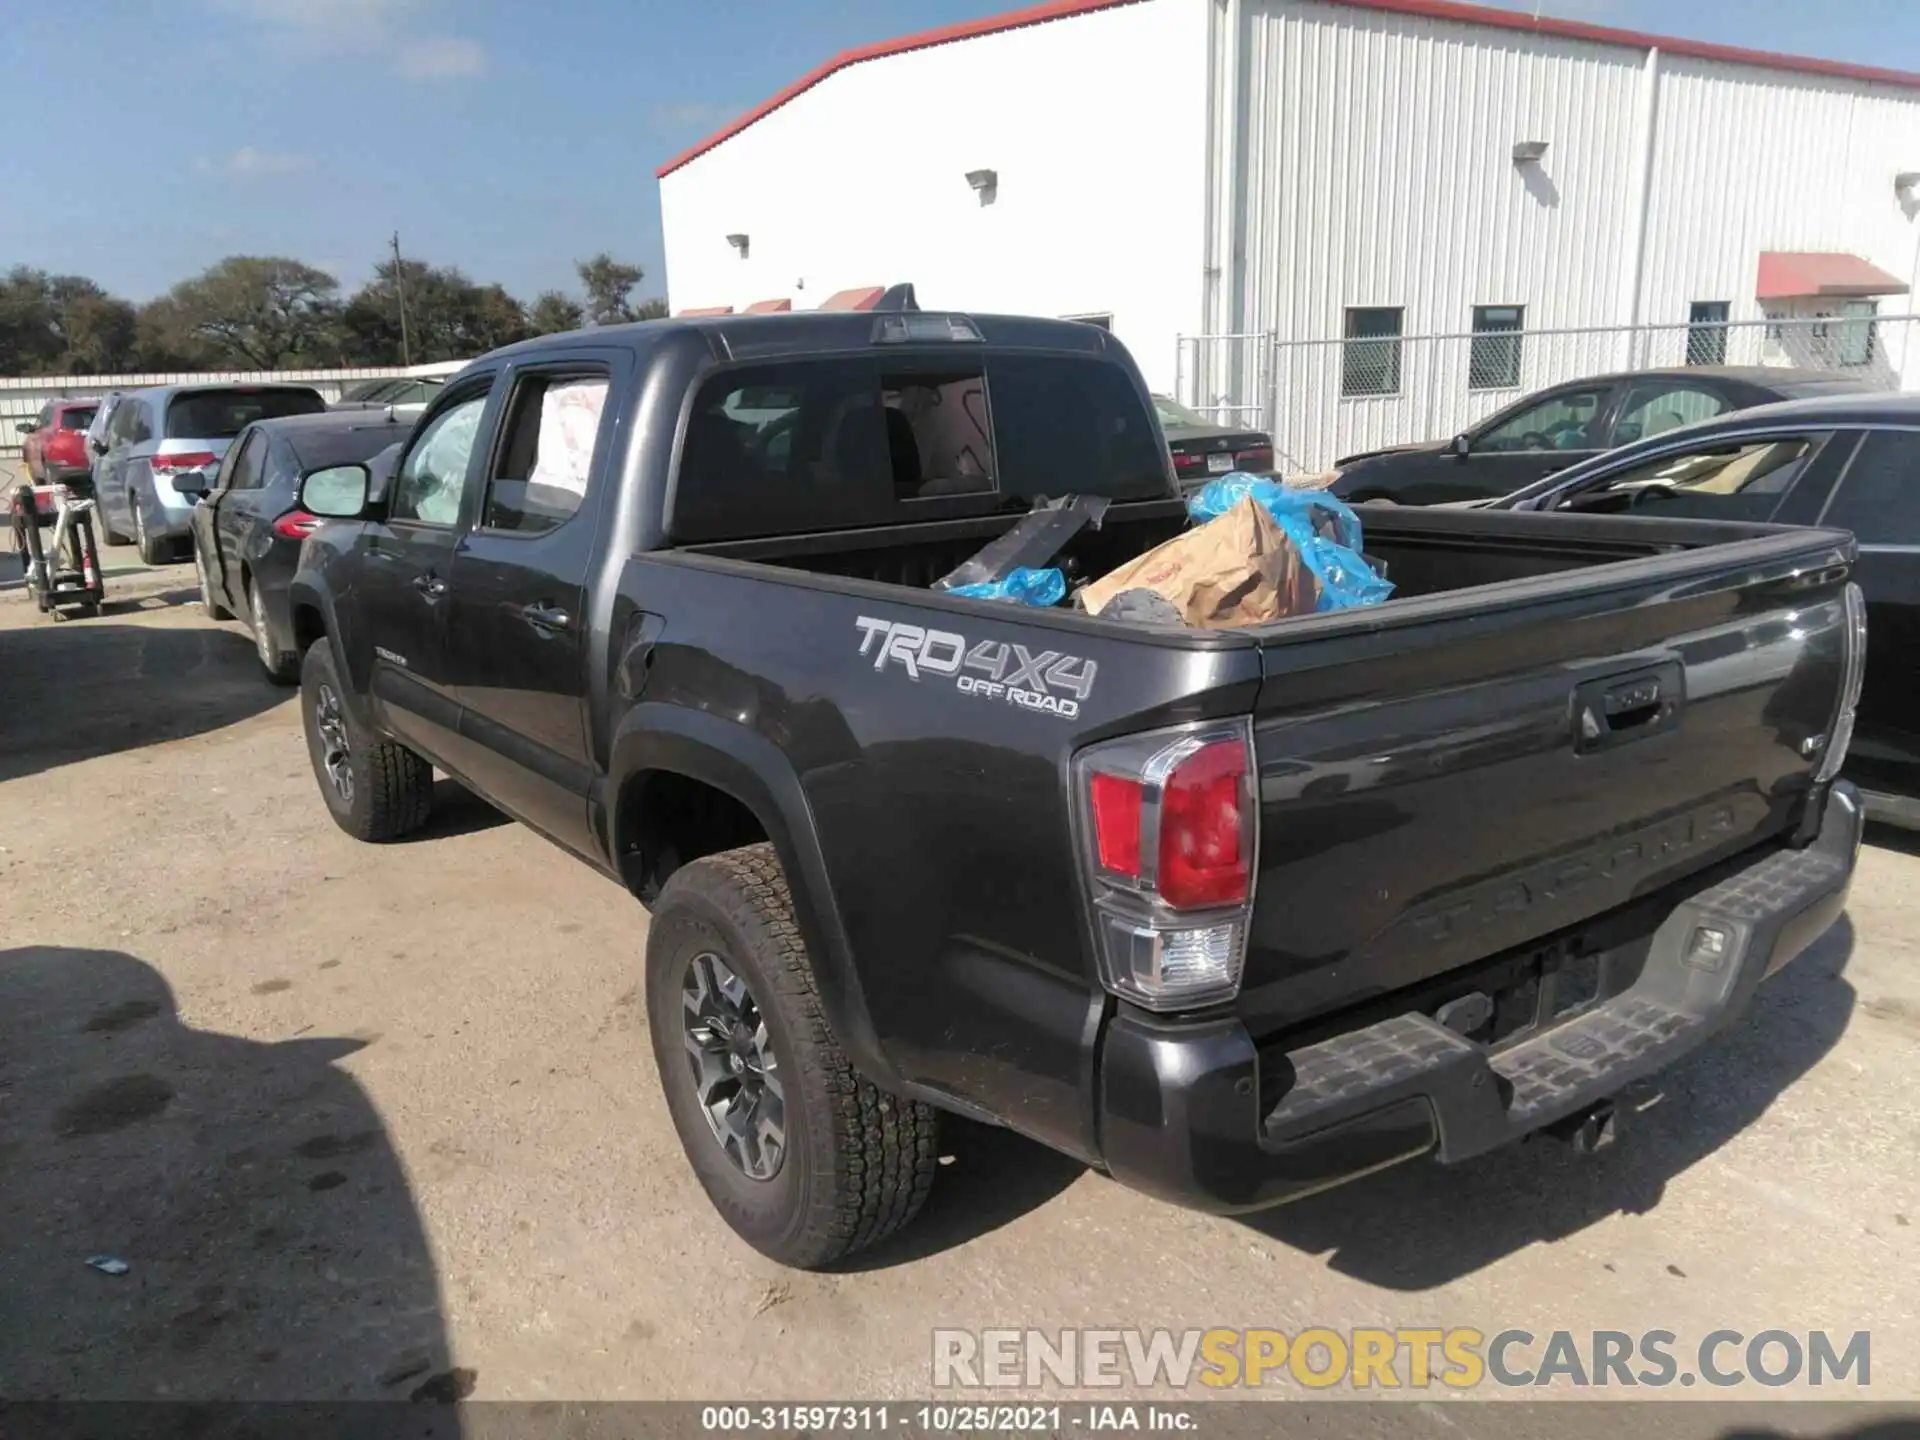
[{"x": 1854, "y": 464}]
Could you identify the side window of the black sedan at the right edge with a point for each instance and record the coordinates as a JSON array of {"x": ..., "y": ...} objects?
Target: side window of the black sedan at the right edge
[{"x": 1716, "y": 481}]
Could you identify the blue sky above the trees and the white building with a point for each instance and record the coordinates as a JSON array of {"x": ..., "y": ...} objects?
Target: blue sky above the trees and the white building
[{"x": 506, "y": 137}]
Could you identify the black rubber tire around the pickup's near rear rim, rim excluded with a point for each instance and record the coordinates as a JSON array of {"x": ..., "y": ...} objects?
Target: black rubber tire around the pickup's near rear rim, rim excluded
[{"x": 859, "y": 1163}]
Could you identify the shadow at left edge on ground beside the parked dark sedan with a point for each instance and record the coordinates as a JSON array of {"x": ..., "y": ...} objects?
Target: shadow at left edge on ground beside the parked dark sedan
[{"x": 80, "y": 690}]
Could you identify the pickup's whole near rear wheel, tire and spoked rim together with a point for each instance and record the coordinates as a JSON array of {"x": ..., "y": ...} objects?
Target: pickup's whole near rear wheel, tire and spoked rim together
[{"x": 805, "y": 1161}]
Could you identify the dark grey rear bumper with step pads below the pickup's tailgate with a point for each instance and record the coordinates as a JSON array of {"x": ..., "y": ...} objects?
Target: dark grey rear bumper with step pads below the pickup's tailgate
[{"x": 1195, "y": 1115}]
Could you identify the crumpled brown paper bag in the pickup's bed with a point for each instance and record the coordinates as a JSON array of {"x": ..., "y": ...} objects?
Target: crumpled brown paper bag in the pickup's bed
[{"x": 1237, "y": 569}]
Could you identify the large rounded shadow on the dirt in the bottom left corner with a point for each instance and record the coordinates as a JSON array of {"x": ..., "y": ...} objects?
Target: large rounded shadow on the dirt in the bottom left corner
[{"x": 274, "y": 1249}]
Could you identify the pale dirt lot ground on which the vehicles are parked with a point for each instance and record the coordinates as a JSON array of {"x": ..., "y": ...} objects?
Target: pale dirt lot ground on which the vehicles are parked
[{"x": 372, "y": 1120}]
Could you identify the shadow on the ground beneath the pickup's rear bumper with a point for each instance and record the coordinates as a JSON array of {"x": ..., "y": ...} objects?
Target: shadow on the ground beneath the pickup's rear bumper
[{"x": 1422, "y": 1224}]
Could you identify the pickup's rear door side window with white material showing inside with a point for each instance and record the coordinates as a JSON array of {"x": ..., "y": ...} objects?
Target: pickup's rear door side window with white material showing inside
[{"x": 542, "y": 473}]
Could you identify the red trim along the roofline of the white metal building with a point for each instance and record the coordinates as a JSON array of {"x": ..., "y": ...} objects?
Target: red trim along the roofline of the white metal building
[{"x": 1506, "y": 20}]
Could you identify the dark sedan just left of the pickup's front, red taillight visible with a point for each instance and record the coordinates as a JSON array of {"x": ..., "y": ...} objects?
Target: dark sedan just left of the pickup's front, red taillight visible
[{"x": 249, "y": 527}]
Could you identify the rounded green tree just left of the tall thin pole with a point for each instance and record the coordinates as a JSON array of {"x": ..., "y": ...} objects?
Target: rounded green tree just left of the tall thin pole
[{"x": 262, "y": 312}]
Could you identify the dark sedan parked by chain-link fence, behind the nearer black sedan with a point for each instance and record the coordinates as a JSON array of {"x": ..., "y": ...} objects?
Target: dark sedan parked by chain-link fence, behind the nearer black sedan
[{"x": 1572, "y": 423}]
